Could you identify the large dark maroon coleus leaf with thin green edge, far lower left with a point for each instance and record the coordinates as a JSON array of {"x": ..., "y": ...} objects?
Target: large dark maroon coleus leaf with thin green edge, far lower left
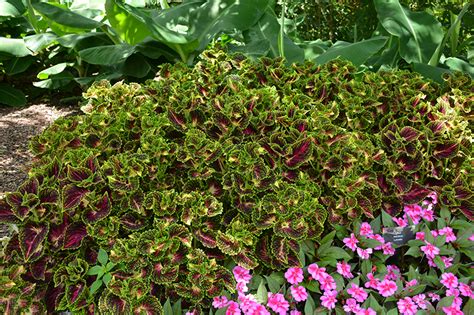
[{"x": 31, "y": 239}]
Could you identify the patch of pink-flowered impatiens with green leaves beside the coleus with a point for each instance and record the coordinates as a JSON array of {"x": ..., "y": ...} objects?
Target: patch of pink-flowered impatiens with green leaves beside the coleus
[{"x": 370, "y": 285}]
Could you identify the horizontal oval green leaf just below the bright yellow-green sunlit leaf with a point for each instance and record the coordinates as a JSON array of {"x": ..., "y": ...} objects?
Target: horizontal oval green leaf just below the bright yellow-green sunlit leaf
[{"x": 107, "y": 55}]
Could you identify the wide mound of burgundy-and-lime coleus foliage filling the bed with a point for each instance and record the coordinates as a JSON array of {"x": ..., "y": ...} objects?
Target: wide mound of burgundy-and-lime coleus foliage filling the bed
[{"x": 231, "y": 161}]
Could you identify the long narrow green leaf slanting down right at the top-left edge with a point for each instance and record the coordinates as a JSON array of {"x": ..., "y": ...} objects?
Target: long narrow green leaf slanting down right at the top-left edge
[{"x": 65, "y": 17}]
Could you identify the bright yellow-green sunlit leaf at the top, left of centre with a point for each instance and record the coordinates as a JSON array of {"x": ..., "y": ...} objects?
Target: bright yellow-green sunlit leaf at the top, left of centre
[{"x": 127, "y": 26}]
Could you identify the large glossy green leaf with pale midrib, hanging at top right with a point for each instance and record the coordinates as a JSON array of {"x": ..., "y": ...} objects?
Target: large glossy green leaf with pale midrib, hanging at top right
[{"x": 419, "y": 32}]
